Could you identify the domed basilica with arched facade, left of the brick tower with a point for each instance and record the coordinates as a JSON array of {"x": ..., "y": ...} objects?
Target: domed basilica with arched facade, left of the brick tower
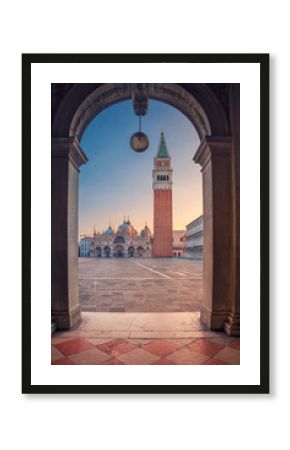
[{"x": 124, "y": 242}]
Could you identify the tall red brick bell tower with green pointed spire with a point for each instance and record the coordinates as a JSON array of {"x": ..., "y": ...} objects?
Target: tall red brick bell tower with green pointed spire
[{"x": 162, "y": 187}]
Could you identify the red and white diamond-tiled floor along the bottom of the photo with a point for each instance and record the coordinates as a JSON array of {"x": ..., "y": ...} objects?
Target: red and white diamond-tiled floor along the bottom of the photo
[{"x": 81, "y": 350}]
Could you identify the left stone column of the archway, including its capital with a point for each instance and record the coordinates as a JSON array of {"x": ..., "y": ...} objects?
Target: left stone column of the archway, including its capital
[{"x": 67, "y": 157}]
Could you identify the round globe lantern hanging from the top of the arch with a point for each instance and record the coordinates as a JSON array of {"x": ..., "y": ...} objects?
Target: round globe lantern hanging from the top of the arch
[{"x": 139, "y": 141}]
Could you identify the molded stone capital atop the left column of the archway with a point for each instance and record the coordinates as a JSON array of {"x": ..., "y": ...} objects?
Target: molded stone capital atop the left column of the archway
[{"x": 68, "y": 148}]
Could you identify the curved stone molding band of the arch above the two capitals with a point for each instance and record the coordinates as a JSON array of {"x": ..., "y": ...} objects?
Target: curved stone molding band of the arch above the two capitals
[{"x": 111, "y": 93}]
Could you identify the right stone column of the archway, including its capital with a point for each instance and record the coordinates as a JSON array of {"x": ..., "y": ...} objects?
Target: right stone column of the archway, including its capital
[{"x": 214, "y": 156}]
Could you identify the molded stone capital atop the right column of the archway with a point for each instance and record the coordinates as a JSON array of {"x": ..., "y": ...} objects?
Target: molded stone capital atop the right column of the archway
[{"x": 212, "y": 146}]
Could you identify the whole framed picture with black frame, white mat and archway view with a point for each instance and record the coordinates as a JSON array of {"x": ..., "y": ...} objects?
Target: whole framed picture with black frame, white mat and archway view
[{"x": 145, "y": 223}]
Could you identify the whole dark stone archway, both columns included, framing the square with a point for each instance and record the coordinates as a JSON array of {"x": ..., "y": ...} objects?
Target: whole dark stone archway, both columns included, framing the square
[{"x": 214, "y": 111}]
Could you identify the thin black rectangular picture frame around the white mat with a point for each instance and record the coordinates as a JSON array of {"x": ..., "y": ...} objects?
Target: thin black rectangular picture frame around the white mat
[{"x": 263, "y": 61}]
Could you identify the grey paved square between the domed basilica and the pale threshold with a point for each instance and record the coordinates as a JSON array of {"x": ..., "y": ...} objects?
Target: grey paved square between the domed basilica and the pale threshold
[{"x": 140, "y": 285}]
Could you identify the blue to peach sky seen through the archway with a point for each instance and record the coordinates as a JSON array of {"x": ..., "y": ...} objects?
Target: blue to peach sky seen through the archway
[{"x": 117, "y": 181}]
